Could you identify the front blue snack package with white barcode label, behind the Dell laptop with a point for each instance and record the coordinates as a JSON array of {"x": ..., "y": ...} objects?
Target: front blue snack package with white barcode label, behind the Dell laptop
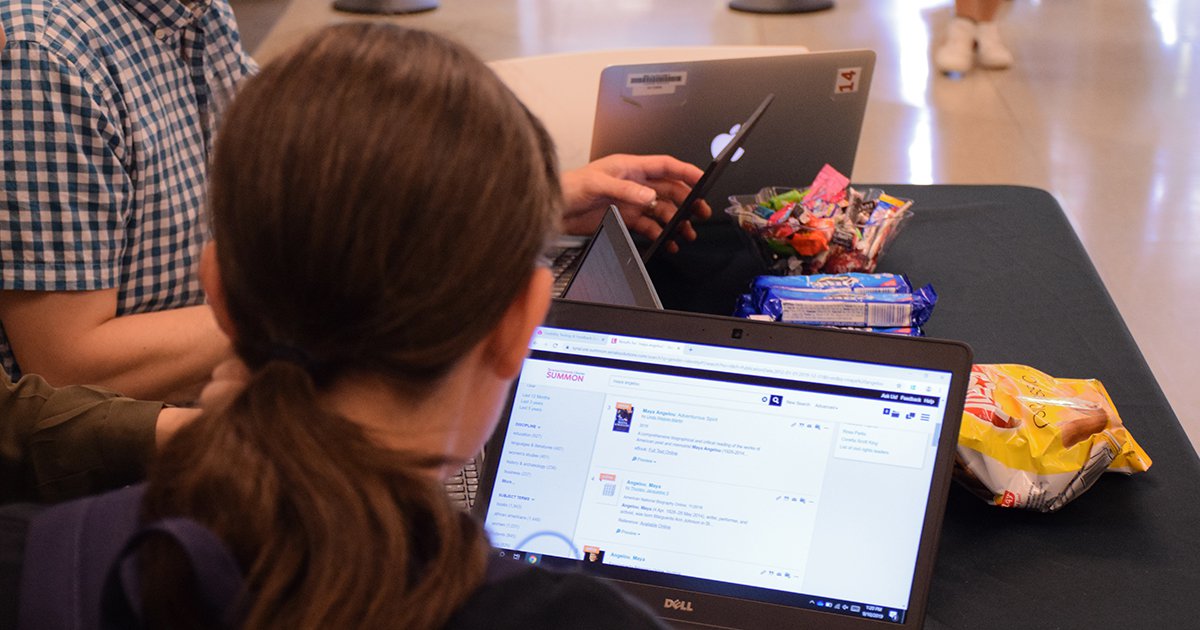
[{"x": 871, "y": 310}]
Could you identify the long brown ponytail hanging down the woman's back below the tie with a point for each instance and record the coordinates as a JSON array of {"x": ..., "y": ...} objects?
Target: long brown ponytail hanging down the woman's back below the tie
[{"x": 334, "y": 531}]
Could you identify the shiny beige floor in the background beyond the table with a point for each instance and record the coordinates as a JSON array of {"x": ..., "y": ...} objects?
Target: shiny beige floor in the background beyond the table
[{"x": 1101, "y": 110}]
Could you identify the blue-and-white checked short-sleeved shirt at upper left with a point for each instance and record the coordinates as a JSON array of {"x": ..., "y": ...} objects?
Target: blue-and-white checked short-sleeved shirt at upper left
[{"x": 107, "y": 110}]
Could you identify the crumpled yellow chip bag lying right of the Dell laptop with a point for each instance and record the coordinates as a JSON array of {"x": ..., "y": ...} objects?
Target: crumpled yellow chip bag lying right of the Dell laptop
[{"x": 1036, "y": 442}]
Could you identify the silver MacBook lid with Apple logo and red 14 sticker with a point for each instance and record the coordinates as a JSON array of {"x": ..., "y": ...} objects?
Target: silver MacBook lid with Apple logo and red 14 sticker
[{"x": 688, "y": 110}]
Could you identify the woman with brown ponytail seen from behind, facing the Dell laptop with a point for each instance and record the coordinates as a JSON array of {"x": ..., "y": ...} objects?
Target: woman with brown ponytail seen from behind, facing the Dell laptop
[{"x": 380, "y": 202}]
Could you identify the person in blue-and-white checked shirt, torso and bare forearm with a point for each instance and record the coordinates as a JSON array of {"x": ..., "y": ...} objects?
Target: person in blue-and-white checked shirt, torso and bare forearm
[{"x": 107, "y": 110}]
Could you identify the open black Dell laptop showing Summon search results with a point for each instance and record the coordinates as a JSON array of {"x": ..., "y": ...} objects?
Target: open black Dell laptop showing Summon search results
[{"x": 730, "y": 473}]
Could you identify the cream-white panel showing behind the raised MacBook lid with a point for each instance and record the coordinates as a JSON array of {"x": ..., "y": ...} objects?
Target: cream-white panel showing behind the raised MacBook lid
[{"x": 562, "y": 89}]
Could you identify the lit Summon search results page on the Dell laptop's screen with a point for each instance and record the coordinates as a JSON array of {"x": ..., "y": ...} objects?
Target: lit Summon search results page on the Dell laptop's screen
[{"x": 767, "y": 471}]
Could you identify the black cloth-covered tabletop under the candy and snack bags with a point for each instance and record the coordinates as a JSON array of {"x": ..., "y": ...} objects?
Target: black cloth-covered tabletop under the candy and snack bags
[{"x": 1016, "y": 284}]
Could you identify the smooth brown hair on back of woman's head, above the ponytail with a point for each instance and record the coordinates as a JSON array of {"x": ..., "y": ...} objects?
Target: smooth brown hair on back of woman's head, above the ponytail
[{"x": 379, "y": 197}]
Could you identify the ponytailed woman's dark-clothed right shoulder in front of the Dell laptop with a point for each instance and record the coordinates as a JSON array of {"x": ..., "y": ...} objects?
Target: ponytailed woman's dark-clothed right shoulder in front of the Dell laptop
[{"x": 536, "y": 598}]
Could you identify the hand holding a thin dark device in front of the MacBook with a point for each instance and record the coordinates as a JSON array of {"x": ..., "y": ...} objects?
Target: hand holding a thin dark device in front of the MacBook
[{"x": 646, "y": 190}]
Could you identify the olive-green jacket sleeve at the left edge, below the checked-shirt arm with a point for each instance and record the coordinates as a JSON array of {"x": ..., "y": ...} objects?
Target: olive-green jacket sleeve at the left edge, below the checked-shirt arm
[{"x": 61, "y": 443}]
